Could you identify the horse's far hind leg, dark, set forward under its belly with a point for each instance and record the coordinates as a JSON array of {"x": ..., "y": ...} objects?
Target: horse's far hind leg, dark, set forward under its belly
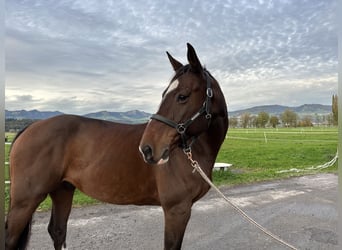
[{"x": 61, "y": 207}]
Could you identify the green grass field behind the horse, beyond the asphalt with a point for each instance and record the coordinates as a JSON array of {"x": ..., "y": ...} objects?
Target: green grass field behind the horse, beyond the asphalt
[{"x": 257, "y": 155}]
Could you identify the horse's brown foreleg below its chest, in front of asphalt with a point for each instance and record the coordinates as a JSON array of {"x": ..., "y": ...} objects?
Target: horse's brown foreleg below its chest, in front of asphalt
[{"x": 176, "y": 220}]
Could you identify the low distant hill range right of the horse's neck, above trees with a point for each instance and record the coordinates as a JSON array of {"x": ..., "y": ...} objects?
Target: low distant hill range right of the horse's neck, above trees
[{"x": 306, "y": 109}]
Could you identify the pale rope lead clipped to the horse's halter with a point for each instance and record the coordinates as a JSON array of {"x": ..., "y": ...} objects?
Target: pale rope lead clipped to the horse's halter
[{"x": 197, "y": 168}]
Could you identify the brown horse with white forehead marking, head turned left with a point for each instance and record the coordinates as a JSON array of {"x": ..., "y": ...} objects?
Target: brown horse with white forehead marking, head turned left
[{"x": 102, "y": 159}]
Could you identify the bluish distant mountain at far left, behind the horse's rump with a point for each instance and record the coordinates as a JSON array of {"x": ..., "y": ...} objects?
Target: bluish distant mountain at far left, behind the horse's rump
[{"x": 31, "y": 114}]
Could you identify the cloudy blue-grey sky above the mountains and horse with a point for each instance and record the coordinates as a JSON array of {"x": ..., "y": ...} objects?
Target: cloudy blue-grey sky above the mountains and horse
[{"x": 82, "y": 56}]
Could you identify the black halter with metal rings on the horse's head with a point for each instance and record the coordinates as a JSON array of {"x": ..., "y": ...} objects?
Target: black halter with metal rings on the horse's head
[{"x": 182, "y": 126}]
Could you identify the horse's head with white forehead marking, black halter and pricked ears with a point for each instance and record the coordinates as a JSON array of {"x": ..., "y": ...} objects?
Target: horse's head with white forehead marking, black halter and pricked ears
[{"x": 189, "y": 105}]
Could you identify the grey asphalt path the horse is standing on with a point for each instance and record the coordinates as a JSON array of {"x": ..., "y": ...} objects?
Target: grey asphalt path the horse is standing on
[{"x": 302, "y": 211}]
